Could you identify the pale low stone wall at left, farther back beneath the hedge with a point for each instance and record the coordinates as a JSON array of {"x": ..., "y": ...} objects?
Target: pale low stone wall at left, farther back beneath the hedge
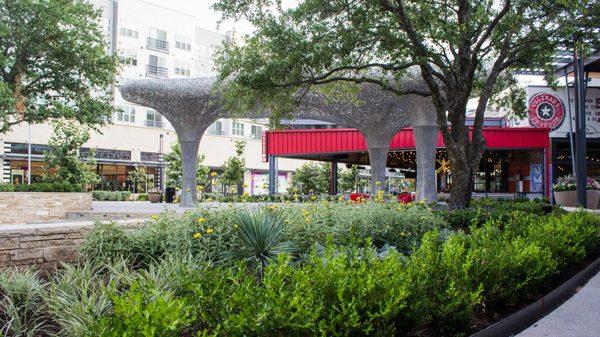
[{"x": 28, "y": 207}]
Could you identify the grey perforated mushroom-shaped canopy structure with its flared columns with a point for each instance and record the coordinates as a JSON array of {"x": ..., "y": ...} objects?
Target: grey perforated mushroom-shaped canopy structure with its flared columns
[{"x": 191, "y": 105}]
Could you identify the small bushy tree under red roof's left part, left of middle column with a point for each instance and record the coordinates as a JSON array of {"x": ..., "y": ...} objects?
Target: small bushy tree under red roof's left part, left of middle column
[{"x": 311, "y": 178}]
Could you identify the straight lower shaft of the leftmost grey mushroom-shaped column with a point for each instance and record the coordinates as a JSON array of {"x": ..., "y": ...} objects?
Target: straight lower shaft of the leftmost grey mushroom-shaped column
[{"x": 189, "y": 157}]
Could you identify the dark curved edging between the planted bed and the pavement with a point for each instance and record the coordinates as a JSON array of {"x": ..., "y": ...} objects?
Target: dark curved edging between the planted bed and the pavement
[{"x": 532, "y": 313}]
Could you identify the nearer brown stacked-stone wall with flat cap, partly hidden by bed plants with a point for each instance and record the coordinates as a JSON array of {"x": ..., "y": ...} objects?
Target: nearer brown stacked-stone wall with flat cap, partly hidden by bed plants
[{"x": 45, "y": 245}]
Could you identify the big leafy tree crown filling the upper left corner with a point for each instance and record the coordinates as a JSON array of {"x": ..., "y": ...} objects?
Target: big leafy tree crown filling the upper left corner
[{"x": 53, "y": 62}]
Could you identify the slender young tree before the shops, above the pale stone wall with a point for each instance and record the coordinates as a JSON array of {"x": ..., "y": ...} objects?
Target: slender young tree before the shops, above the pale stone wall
[{"x": 64, "y": 157}]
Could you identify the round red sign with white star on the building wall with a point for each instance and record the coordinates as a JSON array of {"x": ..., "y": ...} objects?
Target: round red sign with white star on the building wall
[{"x": 546, "y": 111}]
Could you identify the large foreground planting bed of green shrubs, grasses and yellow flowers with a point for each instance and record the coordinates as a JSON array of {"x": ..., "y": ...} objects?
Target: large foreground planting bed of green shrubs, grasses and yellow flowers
[{"x": 302, "y": 270}]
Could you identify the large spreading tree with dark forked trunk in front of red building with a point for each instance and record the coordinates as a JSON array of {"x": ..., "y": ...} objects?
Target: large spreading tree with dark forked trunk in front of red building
[{"x": 461, "y": 48}]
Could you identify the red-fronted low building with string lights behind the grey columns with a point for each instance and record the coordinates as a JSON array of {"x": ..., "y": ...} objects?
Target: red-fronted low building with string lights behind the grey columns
[{"x": 516, "y": 160}]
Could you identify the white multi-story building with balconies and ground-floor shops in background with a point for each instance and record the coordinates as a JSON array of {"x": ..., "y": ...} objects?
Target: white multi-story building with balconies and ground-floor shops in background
[{"x": 152, "y": 41}]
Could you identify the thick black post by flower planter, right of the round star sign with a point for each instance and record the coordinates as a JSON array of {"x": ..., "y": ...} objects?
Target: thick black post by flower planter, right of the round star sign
[{"x": 580, "y": 132}]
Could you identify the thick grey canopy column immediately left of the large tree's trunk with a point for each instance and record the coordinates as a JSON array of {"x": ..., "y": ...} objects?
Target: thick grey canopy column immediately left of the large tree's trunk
[{"x": 426, "y": 144}]
